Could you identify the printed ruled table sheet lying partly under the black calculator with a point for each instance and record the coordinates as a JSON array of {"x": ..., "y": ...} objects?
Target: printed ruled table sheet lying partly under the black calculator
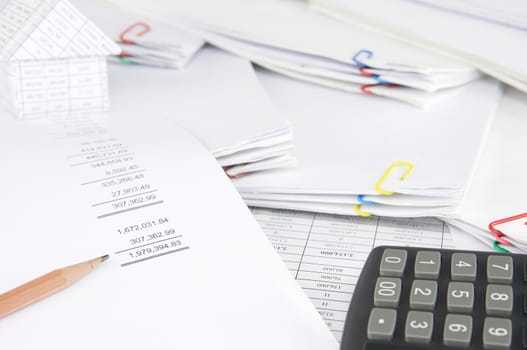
[{"x": 325, "y": 253}]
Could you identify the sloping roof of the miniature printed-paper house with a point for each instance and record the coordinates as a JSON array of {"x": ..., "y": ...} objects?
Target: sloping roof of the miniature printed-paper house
[{"x": 48, "y": 29}]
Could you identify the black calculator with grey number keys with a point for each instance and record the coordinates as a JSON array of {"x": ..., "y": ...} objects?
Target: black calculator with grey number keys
[{"x": 414, "y": 298}]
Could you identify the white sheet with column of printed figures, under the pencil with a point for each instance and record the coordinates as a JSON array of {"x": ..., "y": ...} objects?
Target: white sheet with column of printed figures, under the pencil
[{"x": 189, "y": 267}]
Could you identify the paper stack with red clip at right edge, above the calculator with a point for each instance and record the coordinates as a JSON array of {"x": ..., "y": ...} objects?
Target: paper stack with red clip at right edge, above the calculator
[{"x": 498, "y": 190}]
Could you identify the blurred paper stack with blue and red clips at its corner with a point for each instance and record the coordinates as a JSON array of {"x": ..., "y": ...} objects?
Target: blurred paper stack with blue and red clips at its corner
[{"x": 316, "y": 49}]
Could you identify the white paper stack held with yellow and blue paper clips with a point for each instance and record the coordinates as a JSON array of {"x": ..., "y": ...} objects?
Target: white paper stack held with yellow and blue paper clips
[{"x": 346, "y": 144}]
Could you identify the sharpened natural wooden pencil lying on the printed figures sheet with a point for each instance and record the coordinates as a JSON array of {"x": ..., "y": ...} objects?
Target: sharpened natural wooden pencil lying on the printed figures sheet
[{"x": 45, "y": 285}]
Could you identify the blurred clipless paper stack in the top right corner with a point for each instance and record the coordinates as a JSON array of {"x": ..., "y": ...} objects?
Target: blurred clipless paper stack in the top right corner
[{"x": 453, "y": 33}]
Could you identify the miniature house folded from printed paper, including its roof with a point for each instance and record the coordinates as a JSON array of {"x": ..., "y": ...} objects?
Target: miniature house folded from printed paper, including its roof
[{"x": 52, "y": 60}]
